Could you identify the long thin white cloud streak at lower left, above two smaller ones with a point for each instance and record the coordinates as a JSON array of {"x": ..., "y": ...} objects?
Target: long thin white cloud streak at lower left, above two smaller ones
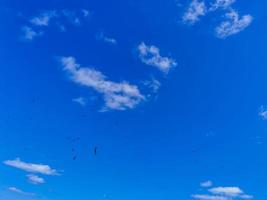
[{"x": 30, "y": 167}]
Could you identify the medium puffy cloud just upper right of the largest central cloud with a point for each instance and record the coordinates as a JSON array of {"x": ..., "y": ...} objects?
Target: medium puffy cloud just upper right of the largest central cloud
[{"x": 150, "y": 55}]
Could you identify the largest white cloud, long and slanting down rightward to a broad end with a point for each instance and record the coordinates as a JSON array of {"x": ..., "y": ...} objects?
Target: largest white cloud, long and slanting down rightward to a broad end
[{"x": 117, "y": 96}]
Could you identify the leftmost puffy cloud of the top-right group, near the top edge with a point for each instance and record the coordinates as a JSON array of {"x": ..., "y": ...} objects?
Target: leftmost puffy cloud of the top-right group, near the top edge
[{"x": 194, "y": 12}]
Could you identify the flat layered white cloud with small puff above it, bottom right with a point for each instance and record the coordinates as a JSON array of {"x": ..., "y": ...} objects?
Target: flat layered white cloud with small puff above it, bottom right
[{"x": 222, "y": 193}]
